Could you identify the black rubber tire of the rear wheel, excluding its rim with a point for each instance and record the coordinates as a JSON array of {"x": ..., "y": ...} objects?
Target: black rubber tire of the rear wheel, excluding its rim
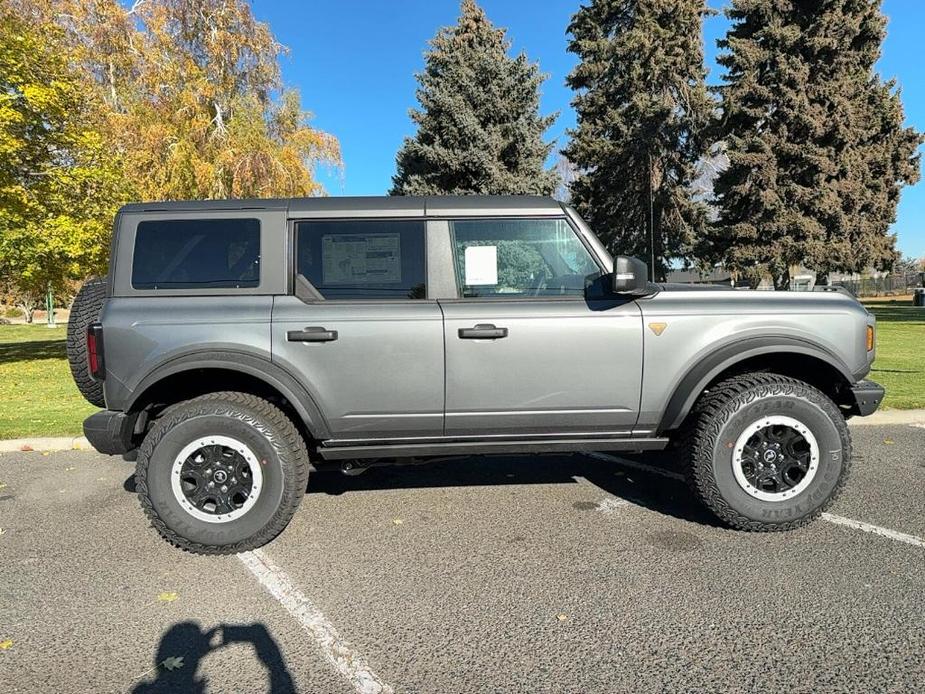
[{"x": 263, "y": 427}]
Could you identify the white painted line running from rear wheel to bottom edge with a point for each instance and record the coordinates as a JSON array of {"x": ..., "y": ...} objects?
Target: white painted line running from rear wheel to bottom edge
[{"x": 339, "y": 653}]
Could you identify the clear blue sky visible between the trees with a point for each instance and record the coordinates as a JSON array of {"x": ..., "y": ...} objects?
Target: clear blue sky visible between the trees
[{"x": 354, "y": 62}]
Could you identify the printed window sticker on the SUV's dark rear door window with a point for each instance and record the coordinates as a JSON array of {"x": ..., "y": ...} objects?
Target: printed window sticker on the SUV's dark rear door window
[{"x": 361, "y": 259}]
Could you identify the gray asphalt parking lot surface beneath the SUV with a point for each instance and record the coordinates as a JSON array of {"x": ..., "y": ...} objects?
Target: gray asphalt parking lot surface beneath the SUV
[{"x": 560, "y": 574}]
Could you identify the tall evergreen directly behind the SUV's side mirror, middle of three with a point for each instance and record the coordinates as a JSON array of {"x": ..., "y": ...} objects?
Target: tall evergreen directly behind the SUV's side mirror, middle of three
[{"x": 643, "y": 113}]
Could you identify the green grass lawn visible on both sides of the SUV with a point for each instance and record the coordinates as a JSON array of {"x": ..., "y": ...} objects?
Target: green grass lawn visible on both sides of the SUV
[{"x": 38, "y": 397}]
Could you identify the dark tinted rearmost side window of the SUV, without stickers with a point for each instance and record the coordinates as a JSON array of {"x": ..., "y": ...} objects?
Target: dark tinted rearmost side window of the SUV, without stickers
[{"x": 197, "y": 254}]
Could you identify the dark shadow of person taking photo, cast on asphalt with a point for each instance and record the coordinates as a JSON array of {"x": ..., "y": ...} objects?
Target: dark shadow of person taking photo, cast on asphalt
[{"x": 191, "y": 643}]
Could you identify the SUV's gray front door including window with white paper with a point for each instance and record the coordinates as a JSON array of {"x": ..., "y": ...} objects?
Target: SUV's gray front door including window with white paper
[{"x": 529, "y": 351}]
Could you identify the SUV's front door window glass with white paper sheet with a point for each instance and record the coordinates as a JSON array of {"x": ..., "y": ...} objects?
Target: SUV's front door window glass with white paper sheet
[{"x": 520, "y": 257}]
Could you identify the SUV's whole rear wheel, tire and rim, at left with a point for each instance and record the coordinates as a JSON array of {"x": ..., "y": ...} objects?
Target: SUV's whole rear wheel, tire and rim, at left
[{"x": 222, "y": 473}]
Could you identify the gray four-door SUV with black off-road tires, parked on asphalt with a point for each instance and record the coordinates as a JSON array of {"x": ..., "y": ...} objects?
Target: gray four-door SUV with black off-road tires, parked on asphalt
[{"x": 238, "y": 345}]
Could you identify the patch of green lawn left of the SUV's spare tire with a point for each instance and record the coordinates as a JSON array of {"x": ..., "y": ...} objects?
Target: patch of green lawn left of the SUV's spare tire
[{"x": 37, "y": 395}]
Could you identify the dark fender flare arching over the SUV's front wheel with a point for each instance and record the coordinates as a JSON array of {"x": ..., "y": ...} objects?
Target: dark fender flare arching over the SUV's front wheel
[{"x": 705, "y": 370}]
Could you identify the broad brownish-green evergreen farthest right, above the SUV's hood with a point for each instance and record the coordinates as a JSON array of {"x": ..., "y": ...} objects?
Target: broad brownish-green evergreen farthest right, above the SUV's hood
[{"x": 817, "y": 151}]
